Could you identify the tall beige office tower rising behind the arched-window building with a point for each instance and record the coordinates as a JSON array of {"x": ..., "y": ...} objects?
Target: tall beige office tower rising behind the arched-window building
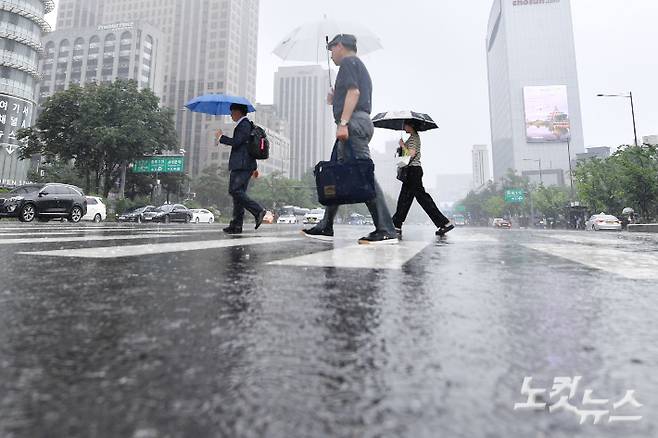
[{"x": 210, "y": 46}]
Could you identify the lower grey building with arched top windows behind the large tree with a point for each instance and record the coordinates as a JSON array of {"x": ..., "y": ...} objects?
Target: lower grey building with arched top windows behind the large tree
[{"x": 101, "y": 54}]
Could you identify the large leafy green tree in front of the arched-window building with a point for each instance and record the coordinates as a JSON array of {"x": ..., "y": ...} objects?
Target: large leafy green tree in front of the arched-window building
[{"x": 101, "y": 128}]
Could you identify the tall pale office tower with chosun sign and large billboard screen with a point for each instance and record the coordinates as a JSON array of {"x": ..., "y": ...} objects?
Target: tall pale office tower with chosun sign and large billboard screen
[{"x": 533, "y": 88}]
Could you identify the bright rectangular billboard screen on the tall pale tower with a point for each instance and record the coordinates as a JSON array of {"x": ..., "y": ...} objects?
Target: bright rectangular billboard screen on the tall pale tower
[{"x": 546, "y": 114}]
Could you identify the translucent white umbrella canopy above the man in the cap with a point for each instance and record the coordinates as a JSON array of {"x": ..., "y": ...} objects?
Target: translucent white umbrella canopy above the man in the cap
[{"x": 308, "y": 43}]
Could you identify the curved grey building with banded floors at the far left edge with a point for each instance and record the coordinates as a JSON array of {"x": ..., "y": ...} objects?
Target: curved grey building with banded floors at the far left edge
[{"x": 22, "y": 25}]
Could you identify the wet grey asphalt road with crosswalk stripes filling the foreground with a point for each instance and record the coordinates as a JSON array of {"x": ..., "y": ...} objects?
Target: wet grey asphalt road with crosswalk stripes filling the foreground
[{"x": 179, "y": 331}]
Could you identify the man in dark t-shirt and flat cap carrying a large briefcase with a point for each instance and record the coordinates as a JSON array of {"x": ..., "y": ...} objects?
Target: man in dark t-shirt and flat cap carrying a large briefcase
[{"x": 352, "y": 105}]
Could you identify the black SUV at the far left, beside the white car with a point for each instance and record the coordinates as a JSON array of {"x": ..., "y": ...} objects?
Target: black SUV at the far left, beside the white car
[{"x": 44, "y": 202}]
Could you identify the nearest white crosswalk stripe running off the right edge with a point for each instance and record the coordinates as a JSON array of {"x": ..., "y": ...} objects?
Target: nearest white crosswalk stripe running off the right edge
[{"x": 627, "y": 264}]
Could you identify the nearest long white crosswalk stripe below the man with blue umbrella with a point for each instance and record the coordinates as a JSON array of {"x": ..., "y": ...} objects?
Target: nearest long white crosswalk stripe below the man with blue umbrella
[{"x": 158, "y": 248}]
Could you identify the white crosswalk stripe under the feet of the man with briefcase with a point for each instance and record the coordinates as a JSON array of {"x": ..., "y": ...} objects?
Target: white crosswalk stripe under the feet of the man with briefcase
[{"x": 359, "y": 256}]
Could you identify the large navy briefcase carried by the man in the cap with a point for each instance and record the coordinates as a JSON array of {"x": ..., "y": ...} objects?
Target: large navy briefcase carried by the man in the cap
[{"x": 351, "y": 181}]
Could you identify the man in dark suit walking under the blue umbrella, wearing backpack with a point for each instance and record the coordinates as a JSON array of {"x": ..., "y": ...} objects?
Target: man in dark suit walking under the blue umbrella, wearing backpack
[{"x": 241, "y": 165}]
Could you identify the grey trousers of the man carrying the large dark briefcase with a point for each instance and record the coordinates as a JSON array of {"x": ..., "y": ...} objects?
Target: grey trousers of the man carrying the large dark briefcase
[{"x": 361, "y": 131}]
